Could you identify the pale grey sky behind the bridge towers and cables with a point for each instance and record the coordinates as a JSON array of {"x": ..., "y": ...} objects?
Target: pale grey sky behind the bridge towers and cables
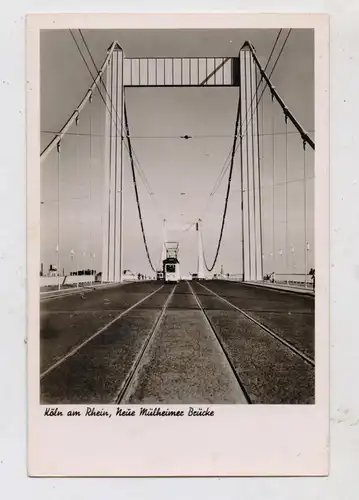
[{"x": 171, "y": 165}]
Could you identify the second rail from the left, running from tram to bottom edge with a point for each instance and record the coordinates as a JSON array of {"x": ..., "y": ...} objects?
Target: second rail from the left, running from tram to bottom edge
[{"x": 136, "y": 367}]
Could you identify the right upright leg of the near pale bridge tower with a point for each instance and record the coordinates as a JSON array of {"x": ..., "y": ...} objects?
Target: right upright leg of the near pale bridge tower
[{"x": 250, "y": 168}]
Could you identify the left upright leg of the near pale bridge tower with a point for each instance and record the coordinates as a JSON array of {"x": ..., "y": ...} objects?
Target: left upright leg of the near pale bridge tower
[{"x": 112, "y": 247}]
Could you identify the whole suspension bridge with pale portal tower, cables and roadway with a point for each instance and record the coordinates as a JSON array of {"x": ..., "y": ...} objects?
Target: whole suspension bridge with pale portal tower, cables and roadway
[{"x": 238, "y": 326}]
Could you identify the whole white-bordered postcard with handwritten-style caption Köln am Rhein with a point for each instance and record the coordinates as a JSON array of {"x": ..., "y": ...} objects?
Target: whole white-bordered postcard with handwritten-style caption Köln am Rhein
[{"x": 177, "y": 228}]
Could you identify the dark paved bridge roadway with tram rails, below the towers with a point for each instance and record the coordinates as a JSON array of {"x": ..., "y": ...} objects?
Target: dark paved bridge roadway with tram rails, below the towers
[{"x": 192, "y": 343}]
